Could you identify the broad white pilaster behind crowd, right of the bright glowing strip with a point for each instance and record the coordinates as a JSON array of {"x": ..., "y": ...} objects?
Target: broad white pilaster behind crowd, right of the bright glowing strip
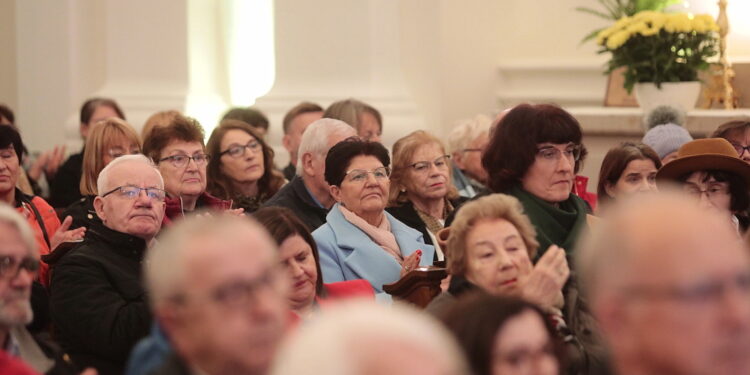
[{"x": 328, "y": 50}]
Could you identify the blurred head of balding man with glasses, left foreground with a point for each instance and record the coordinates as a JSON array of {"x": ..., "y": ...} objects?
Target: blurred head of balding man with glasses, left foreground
[{"x": 219, "y": 293}]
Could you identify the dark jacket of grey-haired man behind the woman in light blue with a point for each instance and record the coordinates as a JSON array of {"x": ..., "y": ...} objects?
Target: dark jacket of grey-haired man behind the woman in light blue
[{"x": 295, "y": 196}]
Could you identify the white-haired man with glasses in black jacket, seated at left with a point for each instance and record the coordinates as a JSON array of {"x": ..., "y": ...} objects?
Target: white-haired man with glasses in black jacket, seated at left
[{"x": 97, "y": 298}]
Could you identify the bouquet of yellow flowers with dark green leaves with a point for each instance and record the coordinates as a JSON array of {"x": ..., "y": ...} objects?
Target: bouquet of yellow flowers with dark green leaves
[{"x": 659, "y": 47}]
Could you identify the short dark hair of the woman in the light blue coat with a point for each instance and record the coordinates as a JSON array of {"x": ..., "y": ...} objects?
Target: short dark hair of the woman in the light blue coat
[{"x": 340, "y": 156}]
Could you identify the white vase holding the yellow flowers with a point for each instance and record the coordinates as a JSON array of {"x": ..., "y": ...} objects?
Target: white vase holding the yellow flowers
[{"x": 682, "y": 95}]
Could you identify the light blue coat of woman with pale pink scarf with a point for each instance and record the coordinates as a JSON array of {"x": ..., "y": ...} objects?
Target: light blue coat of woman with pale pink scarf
[{"x": 347, "y": 253}]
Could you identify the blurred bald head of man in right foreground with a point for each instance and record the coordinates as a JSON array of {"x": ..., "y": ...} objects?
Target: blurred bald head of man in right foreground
[{"x": 669, "y": 284}]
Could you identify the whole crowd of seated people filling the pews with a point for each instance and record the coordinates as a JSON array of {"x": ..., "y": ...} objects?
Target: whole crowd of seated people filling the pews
[{"x": 161, "y": 252}]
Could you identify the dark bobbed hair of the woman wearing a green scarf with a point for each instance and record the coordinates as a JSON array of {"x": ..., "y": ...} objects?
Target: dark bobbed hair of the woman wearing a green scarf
[{"x": 513, "y": 144}]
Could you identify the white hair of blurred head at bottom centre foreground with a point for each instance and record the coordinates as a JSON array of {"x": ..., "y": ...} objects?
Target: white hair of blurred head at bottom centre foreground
[{"x": 342, "y": 339}]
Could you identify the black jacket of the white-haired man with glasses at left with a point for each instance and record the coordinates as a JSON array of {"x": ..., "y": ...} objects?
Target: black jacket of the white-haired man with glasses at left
[{"x": 97, "y": 299}]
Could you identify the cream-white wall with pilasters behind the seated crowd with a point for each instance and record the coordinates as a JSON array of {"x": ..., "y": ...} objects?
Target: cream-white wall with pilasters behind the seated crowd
[{"x": 424, "y": 63}]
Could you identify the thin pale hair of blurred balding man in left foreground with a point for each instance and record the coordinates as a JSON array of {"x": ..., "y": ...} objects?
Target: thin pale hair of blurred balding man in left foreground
[{"x": 165, "y": 264}]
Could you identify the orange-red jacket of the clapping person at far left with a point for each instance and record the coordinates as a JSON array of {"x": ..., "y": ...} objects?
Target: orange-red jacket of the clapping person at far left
[{"x": 51, "y": 224}]
